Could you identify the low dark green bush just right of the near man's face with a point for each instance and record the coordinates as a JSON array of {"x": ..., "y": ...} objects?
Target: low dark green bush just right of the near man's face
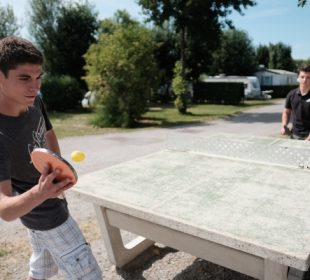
[{"x": 61, "y": 93}]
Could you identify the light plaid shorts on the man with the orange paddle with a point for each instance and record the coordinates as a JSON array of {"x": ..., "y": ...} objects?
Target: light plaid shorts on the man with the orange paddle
[{"x": 63, "y": 248}]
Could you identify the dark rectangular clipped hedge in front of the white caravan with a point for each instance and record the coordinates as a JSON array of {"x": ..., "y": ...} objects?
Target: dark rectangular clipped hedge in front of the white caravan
[{"x": 218, "y": 93}]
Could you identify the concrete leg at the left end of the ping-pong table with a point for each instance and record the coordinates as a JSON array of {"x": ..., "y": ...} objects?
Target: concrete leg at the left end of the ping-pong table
[{"x": 118, "y": 253}]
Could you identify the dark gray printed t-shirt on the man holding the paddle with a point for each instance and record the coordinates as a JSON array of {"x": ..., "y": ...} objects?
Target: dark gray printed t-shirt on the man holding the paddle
[{"x": 18, "y": 137}]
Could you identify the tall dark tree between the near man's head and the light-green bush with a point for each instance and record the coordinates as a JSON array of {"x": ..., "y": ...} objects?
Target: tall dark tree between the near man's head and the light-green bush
[{"x": 64, "y": 31}]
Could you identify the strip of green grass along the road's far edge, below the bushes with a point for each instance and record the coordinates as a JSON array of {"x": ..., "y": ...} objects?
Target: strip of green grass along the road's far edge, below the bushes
[{"x": 159, "y": 115}]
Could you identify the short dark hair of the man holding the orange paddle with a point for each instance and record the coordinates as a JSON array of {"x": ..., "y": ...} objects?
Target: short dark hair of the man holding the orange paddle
[{"x": 15, "y": 51}]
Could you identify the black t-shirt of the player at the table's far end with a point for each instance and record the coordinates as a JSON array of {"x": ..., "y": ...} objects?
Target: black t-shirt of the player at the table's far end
[{"x": 300, "y": 106}]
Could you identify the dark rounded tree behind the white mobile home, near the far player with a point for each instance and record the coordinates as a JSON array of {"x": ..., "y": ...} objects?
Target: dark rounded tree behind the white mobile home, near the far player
[{"x": 280, "y": 57}]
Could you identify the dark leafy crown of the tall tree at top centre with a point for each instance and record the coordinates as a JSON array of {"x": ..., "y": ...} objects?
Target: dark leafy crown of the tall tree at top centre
[{"x": 187, "y": 18}]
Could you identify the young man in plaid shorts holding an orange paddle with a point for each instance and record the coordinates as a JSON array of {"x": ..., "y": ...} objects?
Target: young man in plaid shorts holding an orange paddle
[{"x": 56, "y": 240}]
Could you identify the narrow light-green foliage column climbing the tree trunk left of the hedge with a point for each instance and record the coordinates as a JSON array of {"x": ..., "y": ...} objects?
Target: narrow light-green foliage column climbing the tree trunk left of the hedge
[{"x": 179, "y": 87}]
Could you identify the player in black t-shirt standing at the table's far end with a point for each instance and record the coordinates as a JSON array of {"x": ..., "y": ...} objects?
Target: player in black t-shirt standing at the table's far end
[{"x": 297, "y": 105}]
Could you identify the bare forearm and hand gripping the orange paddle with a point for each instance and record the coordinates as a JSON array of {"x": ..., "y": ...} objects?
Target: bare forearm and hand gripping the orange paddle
[{"x": 13, "y": 207}]
